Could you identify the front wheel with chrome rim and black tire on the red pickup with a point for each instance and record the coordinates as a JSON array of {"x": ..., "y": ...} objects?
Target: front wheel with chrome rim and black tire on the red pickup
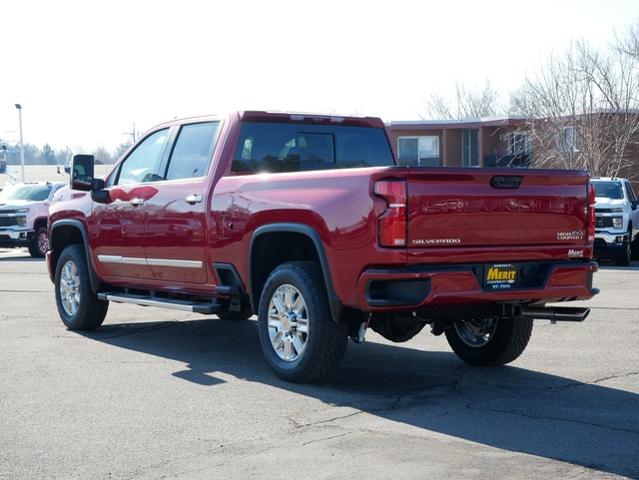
[{"x": 79, "y": 308}]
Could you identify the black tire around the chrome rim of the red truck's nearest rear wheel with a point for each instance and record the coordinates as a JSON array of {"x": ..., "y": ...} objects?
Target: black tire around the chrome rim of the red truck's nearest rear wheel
[{"x": 326, "y": 340}]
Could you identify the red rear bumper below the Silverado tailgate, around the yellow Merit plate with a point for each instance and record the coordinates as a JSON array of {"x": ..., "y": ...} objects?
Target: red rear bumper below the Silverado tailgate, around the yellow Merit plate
[{"x": 421, "y": 287}]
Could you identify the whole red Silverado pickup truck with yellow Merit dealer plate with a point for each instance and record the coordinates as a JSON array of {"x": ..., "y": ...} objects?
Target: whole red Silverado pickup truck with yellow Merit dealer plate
[{"x": 308, "y": 222}]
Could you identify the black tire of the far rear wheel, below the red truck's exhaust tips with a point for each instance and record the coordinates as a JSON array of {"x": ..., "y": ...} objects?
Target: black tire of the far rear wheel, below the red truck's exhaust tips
[{"x": 507, "y": 343}]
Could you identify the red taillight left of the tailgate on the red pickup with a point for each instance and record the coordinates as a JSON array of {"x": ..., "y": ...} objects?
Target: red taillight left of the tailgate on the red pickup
[{"x": 392, "y": 223}]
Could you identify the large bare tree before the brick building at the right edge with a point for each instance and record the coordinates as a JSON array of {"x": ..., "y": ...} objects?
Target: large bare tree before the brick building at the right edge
[{"x": 583, "y": 109}]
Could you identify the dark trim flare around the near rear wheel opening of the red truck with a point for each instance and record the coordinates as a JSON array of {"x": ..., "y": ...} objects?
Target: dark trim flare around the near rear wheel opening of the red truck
[{"x": 334, "y": 302}]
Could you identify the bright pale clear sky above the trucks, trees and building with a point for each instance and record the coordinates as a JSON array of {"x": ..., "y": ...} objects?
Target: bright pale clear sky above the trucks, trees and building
[{"x": 85, "y": 71}]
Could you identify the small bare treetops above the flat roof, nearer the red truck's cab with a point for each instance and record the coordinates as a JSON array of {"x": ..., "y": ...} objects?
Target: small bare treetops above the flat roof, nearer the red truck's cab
[{"x": 468, "y": 103}]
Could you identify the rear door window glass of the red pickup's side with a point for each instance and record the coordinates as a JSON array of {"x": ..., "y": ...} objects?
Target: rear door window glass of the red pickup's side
[{"x": 192, "y": 152}]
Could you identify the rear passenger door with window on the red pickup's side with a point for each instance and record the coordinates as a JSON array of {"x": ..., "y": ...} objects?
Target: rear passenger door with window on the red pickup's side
[{"x": 176, "y": 217}]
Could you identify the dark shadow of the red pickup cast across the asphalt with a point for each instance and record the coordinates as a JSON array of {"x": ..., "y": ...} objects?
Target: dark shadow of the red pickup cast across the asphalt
[{"x": 509, "y": 408}]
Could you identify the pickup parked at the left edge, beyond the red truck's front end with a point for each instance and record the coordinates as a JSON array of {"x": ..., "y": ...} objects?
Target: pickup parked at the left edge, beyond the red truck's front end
[{"x": 24, "y": 210}]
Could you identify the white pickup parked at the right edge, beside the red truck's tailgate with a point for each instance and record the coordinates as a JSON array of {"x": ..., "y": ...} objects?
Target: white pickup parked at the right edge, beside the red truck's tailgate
[{"x": 617, "y": 216}]
